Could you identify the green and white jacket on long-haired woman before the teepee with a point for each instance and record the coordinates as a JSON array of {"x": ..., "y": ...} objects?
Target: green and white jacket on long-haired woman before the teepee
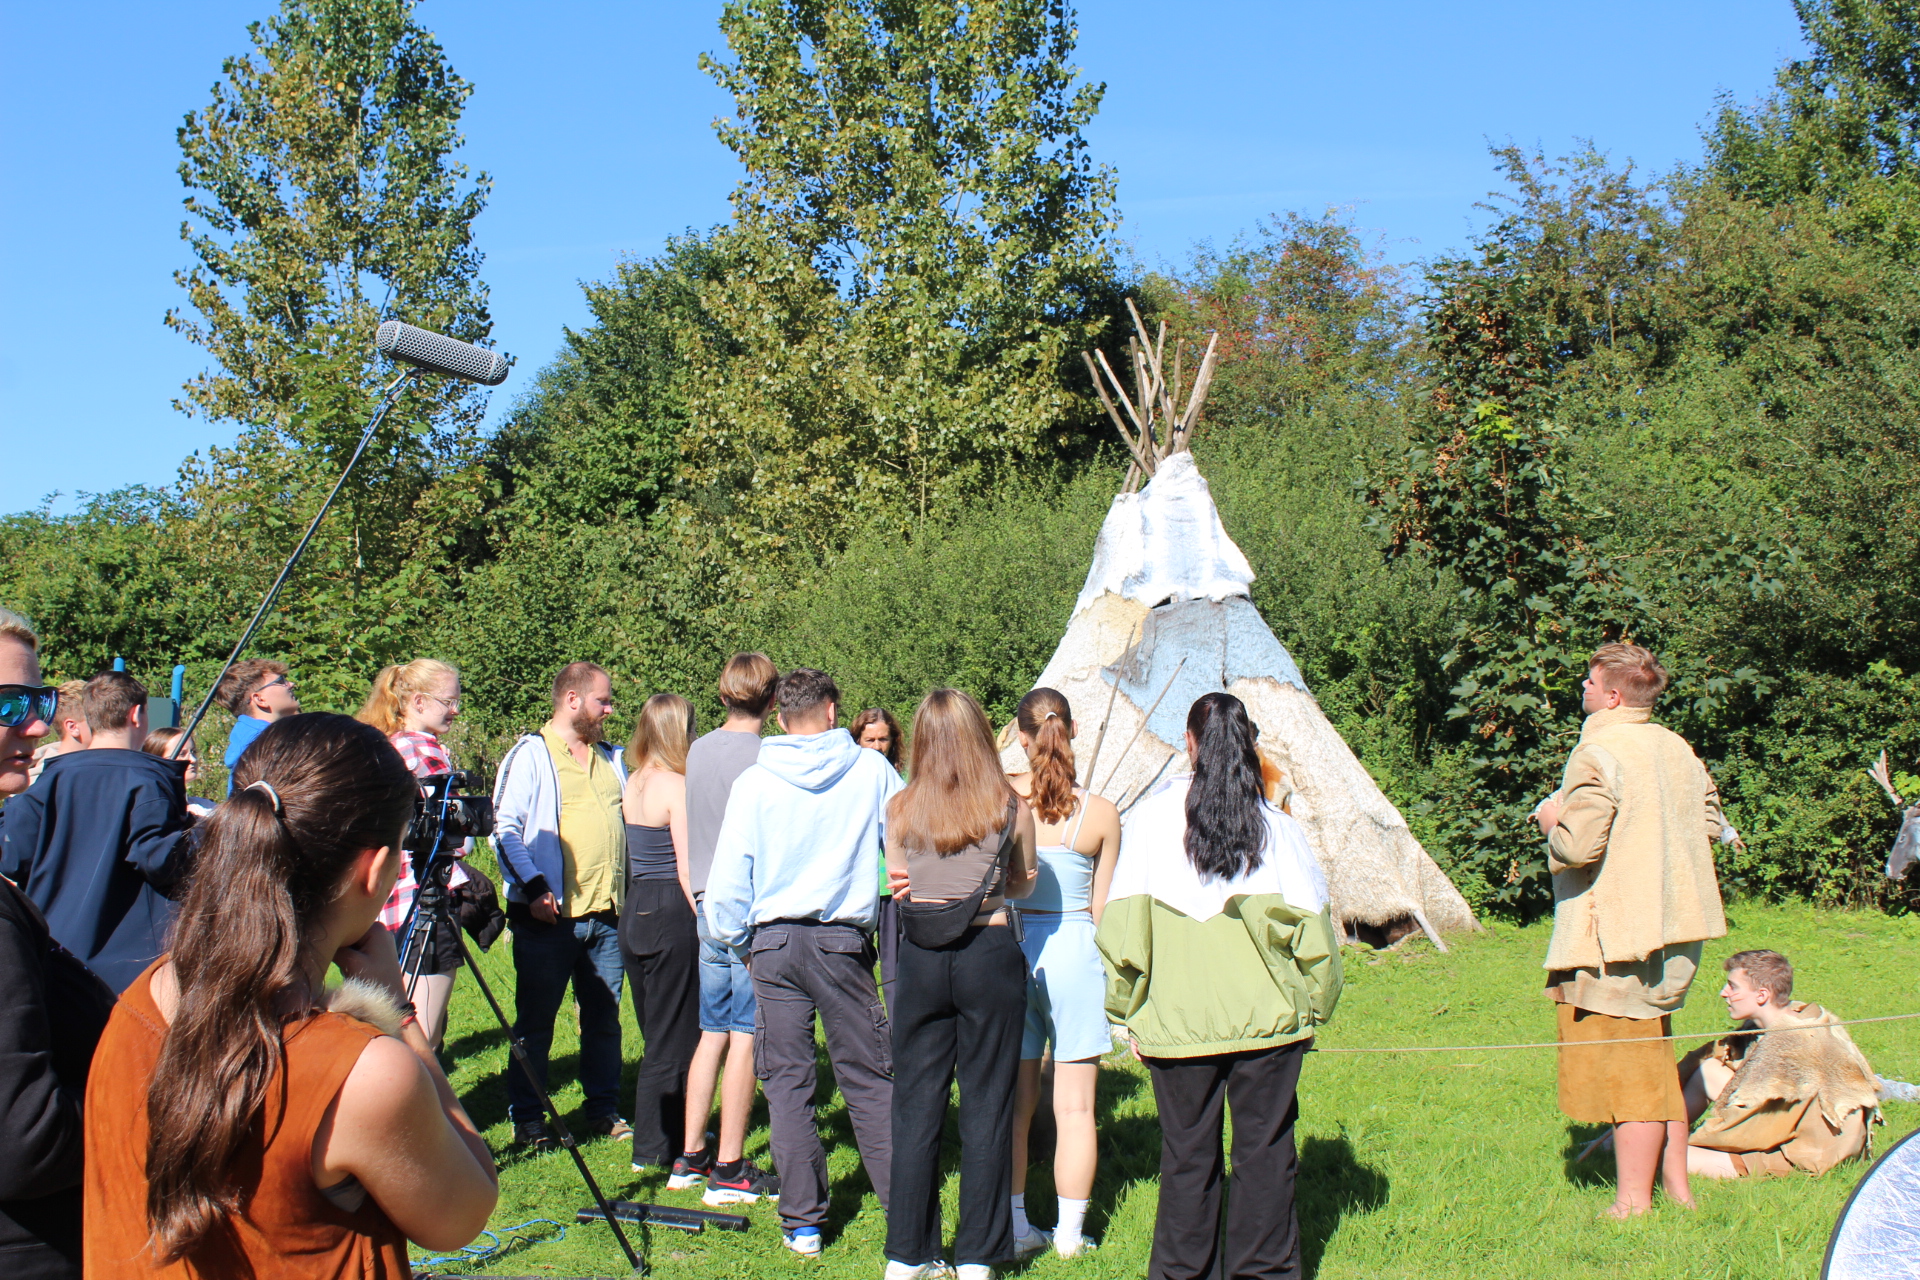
[{"x": 1205, "y": 966}]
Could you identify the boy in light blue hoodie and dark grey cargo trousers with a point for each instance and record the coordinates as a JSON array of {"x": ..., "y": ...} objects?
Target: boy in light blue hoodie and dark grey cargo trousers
[{"x": 794, "y": 889}]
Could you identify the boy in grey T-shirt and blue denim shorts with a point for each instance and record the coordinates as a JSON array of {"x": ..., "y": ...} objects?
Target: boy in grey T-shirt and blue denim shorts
[{"x": 727, "y": 993}]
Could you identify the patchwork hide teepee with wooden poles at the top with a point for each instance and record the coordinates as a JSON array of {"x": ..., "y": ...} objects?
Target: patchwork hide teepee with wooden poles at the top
[{"x": 1166, "y": 617}]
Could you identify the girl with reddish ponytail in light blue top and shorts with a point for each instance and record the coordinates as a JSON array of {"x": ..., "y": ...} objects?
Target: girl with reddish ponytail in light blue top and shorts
[{"x": 1078, "y": 838}]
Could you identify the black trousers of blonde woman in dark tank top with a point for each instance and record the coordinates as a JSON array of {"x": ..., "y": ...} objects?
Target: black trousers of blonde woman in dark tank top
[{"x": 661, "y": 953}]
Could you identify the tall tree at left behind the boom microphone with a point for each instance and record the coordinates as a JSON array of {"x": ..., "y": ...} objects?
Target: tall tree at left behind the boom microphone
[{"x": 324, "y": 199}]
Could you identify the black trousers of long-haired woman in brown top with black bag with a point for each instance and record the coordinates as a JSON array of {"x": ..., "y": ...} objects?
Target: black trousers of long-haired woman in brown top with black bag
[{"x": 957, "y": 1010}]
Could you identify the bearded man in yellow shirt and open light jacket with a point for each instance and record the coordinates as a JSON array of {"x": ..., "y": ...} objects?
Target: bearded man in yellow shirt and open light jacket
[{"x": 562, "y": 841}]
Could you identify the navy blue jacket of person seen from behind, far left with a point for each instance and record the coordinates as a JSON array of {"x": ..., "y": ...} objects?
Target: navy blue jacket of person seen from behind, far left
[{"x": 101, "y": 845}]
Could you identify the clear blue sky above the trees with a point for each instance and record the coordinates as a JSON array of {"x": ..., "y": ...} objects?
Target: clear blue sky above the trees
[{"x": 596, "y": 126}]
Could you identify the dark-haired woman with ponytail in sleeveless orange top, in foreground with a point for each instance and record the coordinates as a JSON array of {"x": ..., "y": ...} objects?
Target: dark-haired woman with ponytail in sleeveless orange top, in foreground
[{"x": 245, "y": 1122}]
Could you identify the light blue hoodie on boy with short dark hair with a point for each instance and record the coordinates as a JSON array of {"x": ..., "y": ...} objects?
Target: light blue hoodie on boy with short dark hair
[{"x": 802, "y": 838}]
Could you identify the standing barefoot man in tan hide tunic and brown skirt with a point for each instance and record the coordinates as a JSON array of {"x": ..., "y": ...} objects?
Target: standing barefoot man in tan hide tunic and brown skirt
[{"x": 1635, "y": 895}]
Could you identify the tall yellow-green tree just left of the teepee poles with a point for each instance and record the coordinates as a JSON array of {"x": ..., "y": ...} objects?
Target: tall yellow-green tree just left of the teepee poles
[{"x": 921, "y": 250}]
